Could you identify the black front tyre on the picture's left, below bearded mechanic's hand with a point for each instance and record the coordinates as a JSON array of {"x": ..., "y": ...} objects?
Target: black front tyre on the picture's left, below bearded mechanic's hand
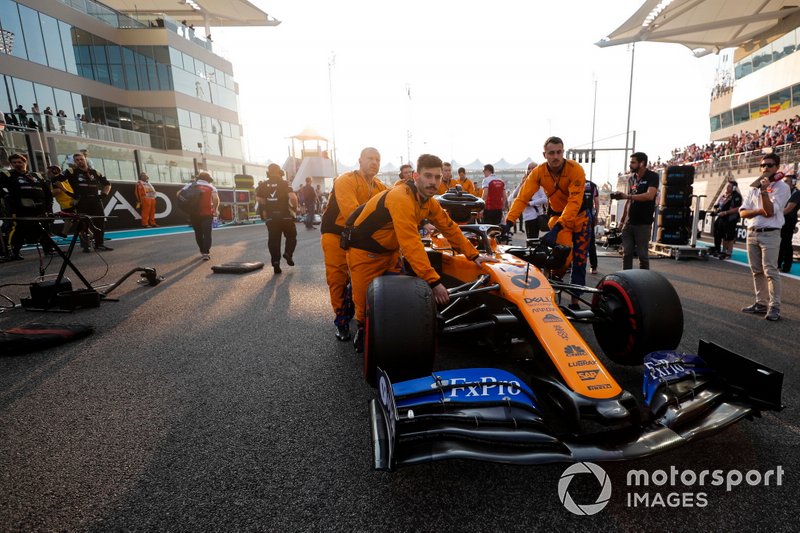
[{"x": 400, "y": 328}]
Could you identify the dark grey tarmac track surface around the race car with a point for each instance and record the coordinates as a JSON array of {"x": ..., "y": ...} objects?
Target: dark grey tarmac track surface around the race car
[{"x": 223, "y": 402}]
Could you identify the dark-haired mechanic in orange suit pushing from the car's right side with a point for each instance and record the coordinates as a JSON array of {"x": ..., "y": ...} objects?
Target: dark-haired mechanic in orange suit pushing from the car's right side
[{"x": 563, "y": 180}]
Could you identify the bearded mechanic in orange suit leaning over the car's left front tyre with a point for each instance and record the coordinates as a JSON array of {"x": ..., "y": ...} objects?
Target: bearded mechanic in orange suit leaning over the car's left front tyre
[{"x": 389, "y": 223}]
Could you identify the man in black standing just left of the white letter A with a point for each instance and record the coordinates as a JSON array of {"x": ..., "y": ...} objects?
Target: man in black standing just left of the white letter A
[{"x": 89, "y": 187}]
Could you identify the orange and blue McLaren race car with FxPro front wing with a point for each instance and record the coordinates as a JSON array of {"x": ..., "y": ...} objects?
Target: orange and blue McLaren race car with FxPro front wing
[{"x": 559, "y": 402}]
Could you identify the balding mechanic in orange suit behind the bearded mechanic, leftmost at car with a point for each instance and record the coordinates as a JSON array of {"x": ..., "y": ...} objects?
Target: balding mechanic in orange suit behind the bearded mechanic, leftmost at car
[{"x": 350, "y": 190}]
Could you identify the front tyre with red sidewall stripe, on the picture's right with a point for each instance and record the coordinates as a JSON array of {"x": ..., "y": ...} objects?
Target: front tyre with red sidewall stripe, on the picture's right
[{"x": 642, "y": 314}]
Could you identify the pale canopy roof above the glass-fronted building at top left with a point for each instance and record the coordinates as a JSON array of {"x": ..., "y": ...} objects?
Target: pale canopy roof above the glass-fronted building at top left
[{"x": 217, "y": 12}]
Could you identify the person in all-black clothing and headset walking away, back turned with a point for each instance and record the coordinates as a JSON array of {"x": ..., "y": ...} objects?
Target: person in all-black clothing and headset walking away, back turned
[{"x": 278, "y": 203}]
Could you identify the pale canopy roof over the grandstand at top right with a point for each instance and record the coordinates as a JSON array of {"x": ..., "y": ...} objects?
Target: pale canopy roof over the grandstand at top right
[{"x": 708, "y": 26}]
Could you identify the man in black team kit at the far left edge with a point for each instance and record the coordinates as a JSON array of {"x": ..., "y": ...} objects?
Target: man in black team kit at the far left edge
[{"x": 28, "y": 195}]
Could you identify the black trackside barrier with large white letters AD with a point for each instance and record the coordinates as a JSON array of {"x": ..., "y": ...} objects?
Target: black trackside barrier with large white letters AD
[{"x": 121, "y": 206}]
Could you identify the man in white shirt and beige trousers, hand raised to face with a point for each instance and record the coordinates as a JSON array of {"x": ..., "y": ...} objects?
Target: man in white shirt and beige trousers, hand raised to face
[{"x": 763, "y": 210}]
